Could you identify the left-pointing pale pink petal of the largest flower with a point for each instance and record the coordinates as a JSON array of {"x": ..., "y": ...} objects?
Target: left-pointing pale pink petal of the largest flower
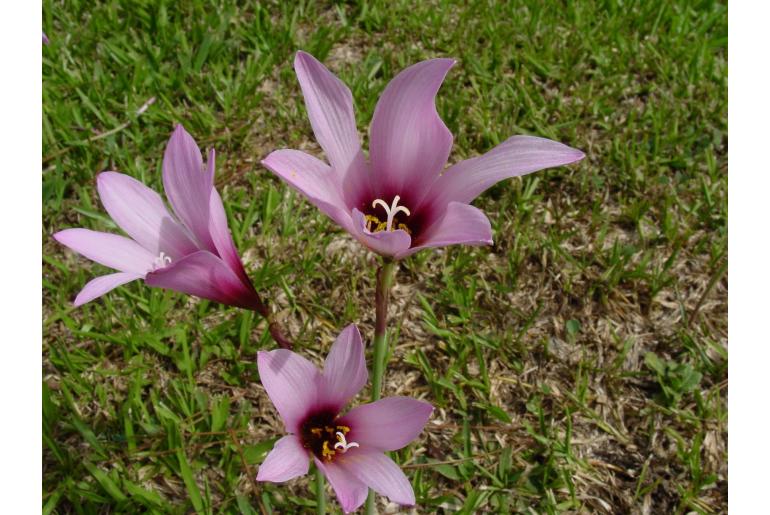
[{"x": 314, "y": 179}]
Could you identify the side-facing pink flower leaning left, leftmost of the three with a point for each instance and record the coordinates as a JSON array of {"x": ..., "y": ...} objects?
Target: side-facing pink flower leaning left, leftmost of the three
[{"x": 192, "y": 252}]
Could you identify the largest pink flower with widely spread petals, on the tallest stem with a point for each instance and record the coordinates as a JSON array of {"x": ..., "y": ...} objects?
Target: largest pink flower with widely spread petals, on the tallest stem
[{"x": 399, "y": 202}]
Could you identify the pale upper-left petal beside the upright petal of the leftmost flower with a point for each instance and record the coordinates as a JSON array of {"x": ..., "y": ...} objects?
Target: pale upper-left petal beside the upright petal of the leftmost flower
[{"x": 140, "y": 212}]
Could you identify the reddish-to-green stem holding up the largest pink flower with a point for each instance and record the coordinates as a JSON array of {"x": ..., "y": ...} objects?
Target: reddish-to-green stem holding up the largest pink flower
[{"x": 385, "y": 276}]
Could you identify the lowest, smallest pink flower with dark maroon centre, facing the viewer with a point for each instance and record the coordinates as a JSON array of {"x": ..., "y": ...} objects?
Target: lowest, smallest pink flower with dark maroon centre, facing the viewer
[{"x": 349, "y": 449}]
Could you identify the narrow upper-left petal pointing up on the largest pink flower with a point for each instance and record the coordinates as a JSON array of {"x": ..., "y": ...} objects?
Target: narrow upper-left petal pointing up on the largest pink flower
[{"x": 330, "y": 109}]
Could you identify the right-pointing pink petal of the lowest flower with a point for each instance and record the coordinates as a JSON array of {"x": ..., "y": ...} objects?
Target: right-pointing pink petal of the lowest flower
[{"x": 387, "y": 424}]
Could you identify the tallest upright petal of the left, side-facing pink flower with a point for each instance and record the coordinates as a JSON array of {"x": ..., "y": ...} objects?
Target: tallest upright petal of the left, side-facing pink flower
[{"x": 188, "y": 186}]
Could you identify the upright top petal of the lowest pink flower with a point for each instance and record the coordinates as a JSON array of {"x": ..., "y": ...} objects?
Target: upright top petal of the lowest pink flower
[{"x": 345, "y": 369}]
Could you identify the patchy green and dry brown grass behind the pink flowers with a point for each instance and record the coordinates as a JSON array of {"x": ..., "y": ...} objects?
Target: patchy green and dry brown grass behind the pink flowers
[{"x": 579, "y": 364}]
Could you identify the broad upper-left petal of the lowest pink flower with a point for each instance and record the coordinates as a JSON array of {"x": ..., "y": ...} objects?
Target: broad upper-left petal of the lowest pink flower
[{"x": 291, "y": 382}]
